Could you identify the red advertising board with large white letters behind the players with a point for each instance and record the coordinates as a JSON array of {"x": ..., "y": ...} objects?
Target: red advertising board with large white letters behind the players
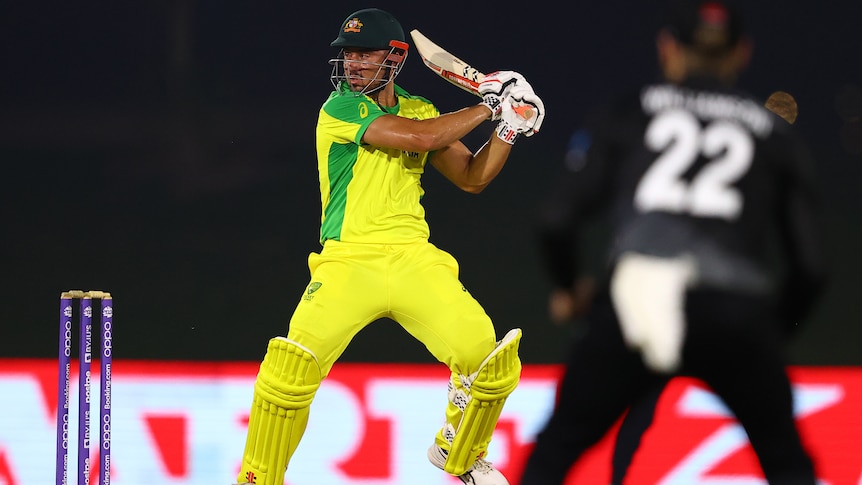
[{"x": 184, "y": 423}]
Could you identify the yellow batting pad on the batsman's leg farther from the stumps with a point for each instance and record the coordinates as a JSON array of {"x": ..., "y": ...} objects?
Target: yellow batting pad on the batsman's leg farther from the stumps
[{"x": 481, "y": 397}]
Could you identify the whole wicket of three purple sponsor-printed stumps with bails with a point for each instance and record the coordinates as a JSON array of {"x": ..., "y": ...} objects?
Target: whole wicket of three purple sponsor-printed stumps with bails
[{"x": 85, "y": 344}]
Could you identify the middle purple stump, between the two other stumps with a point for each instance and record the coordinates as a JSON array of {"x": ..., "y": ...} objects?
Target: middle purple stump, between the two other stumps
[{"x": 85, "y": 356}]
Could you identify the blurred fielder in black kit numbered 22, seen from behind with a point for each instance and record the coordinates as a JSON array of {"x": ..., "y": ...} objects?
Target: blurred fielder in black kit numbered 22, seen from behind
[{"x": 695, "y": 178}]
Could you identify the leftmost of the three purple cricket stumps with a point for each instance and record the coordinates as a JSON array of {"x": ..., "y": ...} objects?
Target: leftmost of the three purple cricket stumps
[{"x": 64, "y": 369}]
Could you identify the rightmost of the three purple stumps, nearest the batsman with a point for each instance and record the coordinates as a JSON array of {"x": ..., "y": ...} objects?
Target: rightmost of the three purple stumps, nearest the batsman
[{"x": 105, "y": 360}]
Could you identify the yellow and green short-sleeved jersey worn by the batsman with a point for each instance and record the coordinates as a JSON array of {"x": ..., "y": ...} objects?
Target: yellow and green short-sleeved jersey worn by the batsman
[{"x": 369, "y": 194}]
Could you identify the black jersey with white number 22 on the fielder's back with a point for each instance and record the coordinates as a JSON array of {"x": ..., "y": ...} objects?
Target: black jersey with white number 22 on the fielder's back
[{"x": 695, "y": 169}]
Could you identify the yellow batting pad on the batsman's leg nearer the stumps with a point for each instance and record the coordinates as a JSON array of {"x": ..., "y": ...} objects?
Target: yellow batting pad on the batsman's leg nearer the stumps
[{"x": 288, "y": 379}]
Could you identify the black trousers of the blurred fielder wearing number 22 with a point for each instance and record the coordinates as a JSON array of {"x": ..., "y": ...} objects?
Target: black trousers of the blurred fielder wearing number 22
[{"x": 732, "y": 343}]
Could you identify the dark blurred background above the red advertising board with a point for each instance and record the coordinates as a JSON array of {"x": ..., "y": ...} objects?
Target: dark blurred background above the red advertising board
[{"x": 163, "y": 151}]
